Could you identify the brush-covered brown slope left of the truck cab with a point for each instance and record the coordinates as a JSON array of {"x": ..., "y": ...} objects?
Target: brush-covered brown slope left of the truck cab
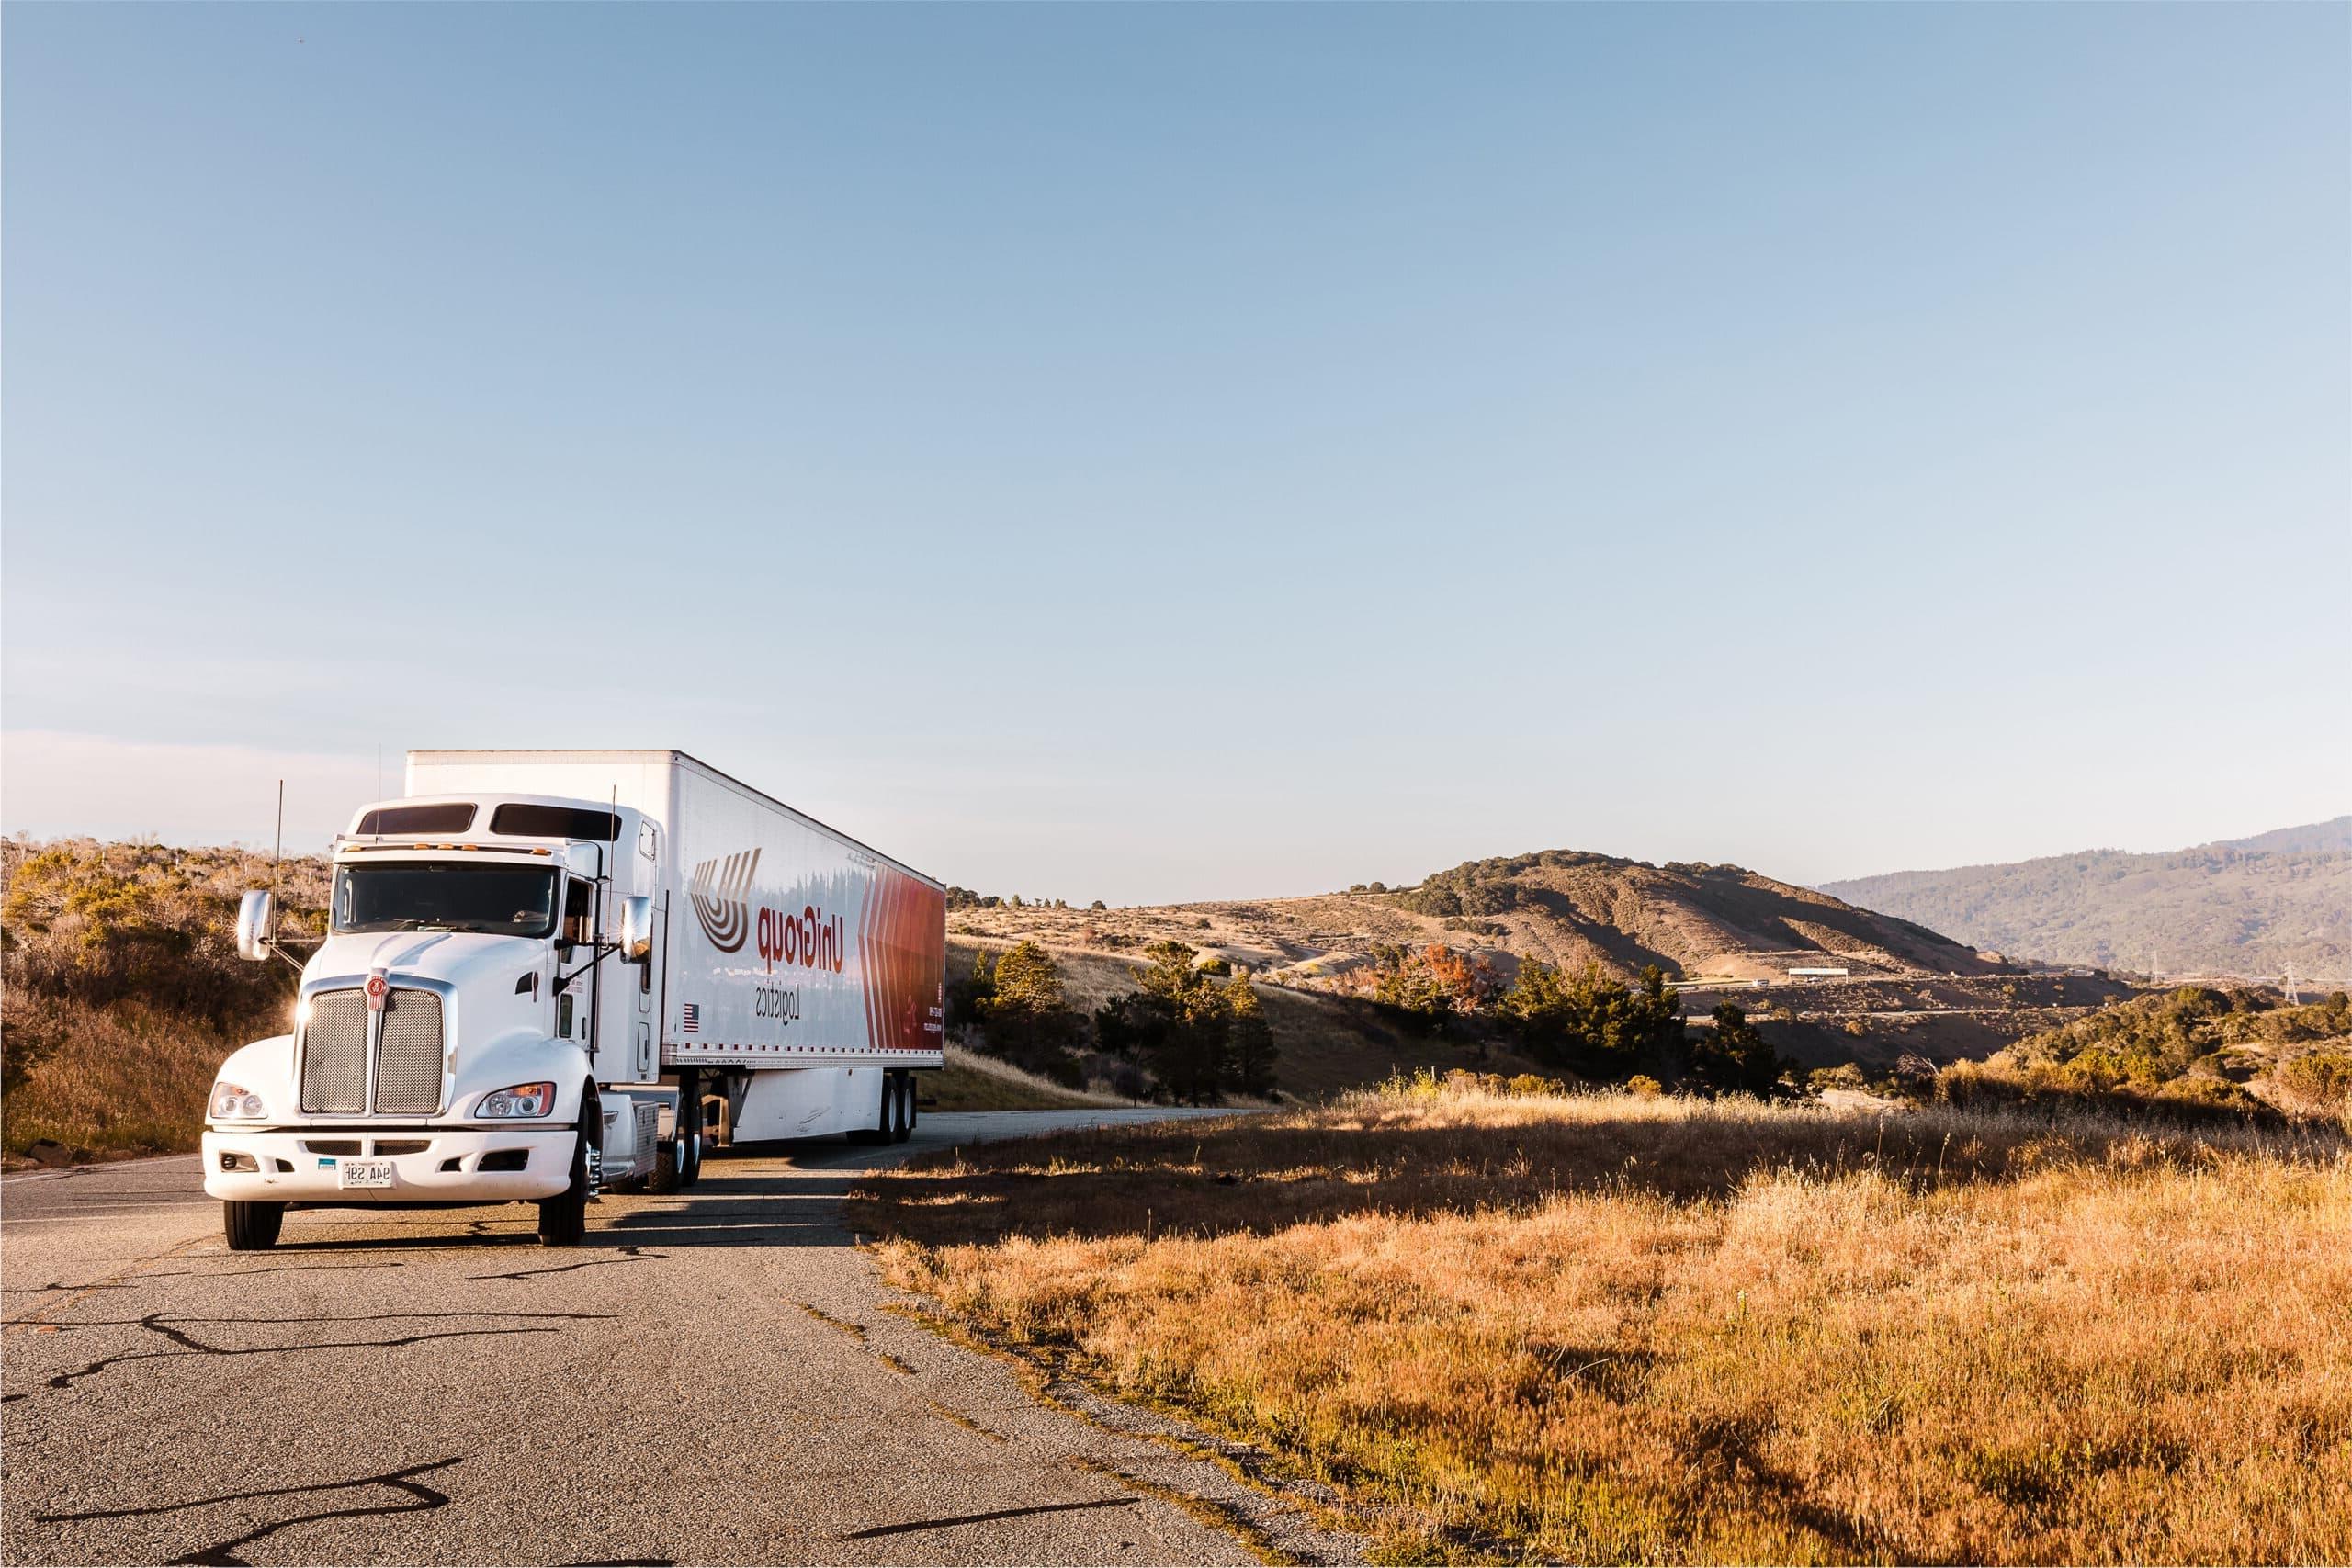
[{"x": 123, "y": 989}]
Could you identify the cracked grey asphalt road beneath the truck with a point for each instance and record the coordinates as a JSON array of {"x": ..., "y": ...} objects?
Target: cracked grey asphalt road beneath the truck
[{"x": 709, "y": 1379}]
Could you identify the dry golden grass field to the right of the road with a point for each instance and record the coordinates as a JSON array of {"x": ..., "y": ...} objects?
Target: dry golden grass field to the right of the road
[{"x": 1678, "y": 1332}]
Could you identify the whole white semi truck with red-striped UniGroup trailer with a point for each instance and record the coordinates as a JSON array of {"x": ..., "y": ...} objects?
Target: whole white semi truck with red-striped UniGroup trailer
[{"x": 559, "y": 972}]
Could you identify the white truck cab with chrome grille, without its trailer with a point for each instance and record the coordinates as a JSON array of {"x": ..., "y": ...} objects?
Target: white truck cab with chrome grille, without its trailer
[{"x": 479, "y": 1026}]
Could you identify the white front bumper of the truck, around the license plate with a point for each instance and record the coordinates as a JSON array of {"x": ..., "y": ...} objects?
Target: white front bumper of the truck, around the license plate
[{"x": 448, "y": 1170}]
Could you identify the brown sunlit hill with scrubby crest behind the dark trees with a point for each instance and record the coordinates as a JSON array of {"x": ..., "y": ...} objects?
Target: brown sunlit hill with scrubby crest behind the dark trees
[{"x": 1728, "y": 934}]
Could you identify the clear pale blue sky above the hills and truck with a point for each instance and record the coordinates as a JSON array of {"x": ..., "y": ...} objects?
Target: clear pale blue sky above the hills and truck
[{"x": 1191, "y": 453}]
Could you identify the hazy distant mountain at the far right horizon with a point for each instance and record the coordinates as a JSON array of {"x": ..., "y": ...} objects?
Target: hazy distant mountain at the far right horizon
[{"x": 2231, "y": 909}]
